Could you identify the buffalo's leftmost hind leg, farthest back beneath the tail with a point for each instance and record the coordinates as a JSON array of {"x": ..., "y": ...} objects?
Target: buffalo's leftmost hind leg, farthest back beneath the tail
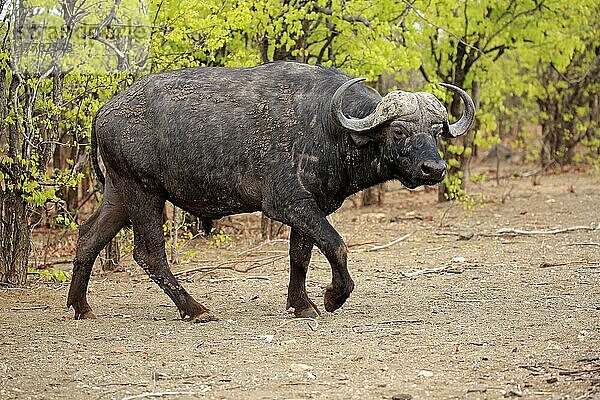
[{"x": 94, "y": 235}]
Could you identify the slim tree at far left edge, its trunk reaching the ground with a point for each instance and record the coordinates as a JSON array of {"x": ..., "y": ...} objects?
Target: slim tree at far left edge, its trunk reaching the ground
[{"x": 26, "y": 147}]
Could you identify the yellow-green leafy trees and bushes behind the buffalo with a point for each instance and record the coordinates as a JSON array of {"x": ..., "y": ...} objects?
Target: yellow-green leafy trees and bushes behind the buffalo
[{"x": 527, "y": 63}]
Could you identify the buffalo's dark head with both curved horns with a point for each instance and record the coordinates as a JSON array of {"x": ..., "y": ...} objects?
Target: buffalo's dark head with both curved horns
[{"x": 407, "y": 125}]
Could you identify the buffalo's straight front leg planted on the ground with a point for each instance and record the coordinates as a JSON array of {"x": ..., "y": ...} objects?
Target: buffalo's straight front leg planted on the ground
[{"x": 298, "y": 301}]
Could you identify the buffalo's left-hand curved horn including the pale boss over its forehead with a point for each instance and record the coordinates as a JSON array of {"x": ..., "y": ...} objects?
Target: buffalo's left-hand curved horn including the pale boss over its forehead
[{"x": 394, "y": 105}]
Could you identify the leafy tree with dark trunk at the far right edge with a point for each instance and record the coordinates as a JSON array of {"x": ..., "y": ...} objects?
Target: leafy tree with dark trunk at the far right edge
[{"x": 568, "y": 90}]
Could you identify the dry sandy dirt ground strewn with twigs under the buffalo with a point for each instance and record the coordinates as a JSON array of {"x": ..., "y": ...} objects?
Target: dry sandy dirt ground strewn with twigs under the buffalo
[{"x": 432, "y": 316}]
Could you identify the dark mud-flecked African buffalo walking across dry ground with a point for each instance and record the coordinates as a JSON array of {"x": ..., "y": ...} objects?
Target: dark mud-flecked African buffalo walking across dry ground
[{"x": 288, "y": 139}]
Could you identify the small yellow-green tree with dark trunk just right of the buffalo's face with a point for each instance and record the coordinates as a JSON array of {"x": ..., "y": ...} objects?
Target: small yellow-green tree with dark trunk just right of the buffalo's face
[{"x": 463, "y": 41}]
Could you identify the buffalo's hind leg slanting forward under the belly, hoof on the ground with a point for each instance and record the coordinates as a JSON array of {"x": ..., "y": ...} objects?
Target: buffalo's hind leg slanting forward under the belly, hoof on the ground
[{"x": 149, "y": 253}]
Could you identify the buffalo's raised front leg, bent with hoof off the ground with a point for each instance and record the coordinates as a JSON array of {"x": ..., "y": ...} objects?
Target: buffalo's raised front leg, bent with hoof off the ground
[{"x": 309, "y": 221}]
